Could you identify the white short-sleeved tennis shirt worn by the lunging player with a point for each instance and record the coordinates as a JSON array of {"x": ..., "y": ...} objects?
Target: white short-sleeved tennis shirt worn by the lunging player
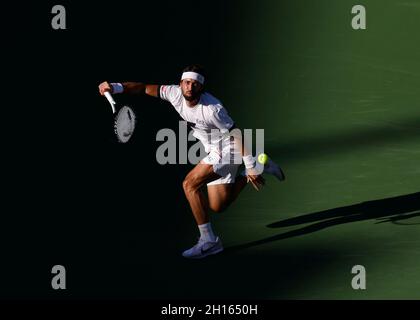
[{"x": 209, "y": 119}]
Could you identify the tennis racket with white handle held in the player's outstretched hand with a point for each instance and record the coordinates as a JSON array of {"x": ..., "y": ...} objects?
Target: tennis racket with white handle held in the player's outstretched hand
[{"x": 124, "y": 120}]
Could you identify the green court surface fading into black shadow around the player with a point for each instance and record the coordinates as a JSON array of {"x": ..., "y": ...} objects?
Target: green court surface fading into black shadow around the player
[{"x": 340, "y": 109}]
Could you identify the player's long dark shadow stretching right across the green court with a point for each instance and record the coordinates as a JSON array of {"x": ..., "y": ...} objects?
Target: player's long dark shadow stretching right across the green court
[{"x": 393, "y": 210}]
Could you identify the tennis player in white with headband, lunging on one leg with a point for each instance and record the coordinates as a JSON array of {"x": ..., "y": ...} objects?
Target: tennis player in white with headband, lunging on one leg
[{"x": 217, "y": 171}]
